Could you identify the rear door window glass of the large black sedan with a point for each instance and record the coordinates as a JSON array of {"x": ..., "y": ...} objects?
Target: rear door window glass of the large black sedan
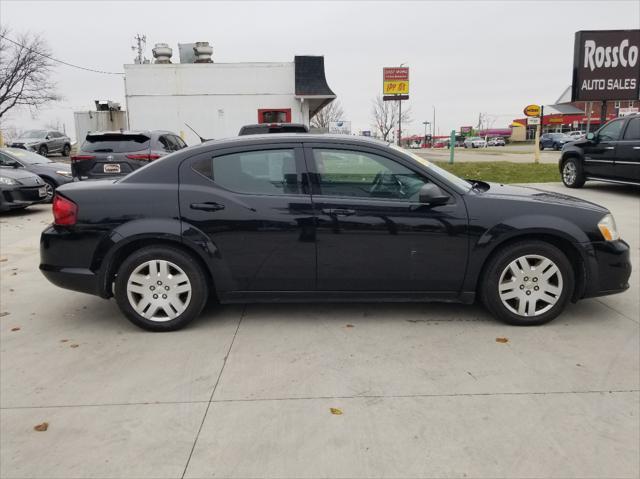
[{"x": 266, "y": 172}]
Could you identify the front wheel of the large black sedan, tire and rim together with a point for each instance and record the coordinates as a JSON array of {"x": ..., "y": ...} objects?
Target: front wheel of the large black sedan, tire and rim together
[{"x": 517, "y": 302}]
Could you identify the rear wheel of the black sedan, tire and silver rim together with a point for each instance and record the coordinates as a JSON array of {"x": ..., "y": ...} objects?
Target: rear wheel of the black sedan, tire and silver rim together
[{"x": 135, "y": 294}]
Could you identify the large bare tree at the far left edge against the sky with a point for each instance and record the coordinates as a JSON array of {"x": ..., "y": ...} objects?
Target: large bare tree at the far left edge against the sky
[{"x": 25, "y": 72}]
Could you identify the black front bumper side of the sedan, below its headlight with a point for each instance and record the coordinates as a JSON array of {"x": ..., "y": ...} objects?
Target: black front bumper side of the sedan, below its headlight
[{"x": 609, "y": 268}]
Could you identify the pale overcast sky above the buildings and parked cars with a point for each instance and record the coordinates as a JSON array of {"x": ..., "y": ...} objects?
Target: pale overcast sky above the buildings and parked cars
[{"x": 465, "y": 57}]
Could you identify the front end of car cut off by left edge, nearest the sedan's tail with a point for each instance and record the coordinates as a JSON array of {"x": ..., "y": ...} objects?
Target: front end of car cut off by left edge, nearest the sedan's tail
[{"x": 19, "y": 188}]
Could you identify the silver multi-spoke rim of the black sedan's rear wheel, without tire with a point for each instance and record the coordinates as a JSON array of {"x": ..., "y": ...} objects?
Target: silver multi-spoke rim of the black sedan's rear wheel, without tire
[{"x": 159, "y": 290}]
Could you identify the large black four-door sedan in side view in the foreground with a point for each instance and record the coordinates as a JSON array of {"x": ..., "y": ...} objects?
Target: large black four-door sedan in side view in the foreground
[{"x": 299, "y": 217}]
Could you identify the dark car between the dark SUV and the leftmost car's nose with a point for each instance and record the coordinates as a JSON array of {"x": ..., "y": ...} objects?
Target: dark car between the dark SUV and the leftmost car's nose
[{"x": 53, "y": 173}]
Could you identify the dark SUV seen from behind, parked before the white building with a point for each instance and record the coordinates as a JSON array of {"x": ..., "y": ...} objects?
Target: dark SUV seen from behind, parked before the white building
[{"x": 118, "y": 153}]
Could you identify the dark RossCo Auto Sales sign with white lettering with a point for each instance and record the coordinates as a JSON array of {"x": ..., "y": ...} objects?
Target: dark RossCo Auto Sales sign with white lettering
[{"x": 606, "y": 65}]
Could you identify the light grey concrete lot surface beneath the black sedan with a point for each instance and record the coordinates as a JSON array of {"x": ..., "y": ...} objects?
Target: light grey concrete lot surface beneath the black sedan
[{"x": 425, "y": 390}]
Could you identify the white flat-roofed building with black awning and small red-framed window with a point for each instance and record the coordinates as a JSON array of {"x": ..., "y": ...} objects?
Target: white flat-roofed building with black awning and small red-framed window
[{"x": 216, "y": 99}]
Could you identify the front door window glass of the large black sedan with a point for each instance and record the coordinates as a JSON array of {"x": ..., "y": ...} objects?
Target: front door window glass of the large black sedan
[{"x": 365, "y": 175}]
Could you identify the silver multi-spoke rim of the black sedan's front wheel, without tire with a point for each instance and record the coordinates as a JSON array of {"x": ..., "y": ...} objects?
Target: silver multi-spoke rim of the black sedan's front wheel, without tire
[{"x": 530, "y": 285}]
